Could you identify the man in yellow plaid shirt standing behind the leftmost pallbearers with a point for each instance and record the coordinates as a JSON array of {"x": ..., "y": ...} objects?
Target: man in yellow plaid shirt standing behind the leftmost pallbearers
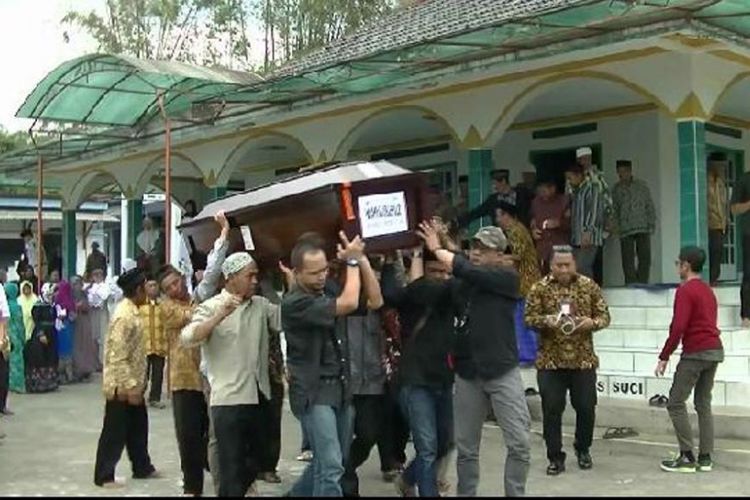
[{"x": 154, "y": 341}]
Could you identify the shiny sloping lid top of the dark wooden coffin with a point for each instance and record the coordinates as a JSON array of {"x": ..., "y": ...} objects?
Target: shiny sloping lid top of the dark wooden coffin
[{"x": 305, "y": 182}]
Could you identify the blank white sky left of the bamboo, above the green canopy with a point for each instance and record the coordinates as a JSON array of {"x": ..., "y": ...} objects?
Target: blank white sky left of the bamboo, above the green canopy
[{"x": 31, "y": 45}]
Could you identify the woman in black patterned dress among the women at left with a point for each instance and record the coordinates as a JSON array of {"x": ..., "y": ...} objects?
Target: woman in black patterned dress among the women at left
[{"x": 41, "y": 350}]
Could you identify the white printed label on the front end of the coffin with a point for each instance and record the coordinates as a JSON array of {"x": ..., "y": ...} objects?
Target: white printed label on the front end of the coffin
[{"x": 381, "y": 214}]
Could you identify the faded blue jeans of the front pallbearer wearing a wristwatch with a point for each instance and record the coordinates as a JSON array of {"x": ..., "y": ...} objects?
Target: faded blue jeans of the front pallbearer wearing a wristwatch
[{"x": 330, "y": 433}]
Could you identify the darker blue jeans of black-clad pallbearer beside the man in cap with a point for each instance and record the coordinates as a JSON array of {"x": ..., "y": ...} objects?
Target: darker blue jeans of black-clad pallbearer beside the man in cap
[{"x": 430, "y": 414}]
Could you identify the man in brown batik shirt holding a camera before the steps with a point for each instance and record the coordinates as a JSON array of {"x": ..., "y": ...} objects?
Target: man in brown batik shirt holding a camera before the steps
[{"x": 566, "y": 308}]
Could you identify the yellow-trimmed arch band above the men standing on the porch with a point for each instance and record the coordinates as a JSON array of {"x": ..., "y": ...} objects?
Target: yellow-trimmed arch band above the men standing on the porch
[{"x": 517, "y": 104}]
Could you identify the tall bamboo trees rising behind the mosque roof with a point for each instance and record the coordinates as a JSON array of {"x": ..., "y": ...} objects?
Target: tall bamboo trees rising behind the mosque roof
[{"x": 216, "y": 32}]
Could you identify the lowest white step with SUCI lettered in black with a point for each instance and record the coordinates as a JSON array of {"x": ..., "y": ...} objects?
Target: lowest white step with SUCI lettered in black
[{"x": 640, "y": 386}]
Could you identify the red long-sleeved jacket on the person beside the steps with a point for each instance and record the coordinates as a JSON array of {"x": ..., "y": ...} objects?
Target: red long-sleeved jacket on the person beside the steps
[{"x": 694, "y": 321}]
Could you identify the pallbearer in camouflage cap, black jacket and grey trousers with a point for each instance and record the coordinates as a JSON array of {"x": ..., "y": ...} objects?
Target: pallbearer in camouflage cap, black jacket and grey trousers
[{"x": 486, "y": 358}]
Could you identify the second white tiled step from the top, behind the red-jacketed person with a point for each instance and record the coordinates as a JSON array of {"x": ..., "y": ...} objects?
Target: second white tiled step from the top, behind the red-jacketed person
[{"x": 659, "y": 317}]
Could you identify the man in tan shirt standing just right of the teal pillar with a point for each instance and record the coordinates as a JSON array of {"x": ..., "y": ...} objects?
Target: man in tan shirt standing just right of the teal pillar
[{"x": 717, "y": 214}]
